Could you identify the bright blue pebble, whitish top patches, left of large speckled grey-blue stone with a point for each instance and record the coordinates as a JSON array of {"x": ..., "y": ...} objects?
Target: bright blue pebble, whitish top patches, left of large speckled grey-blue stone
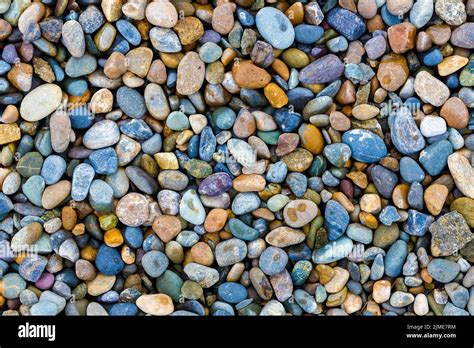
[{"x": 365, "y": 146}]
